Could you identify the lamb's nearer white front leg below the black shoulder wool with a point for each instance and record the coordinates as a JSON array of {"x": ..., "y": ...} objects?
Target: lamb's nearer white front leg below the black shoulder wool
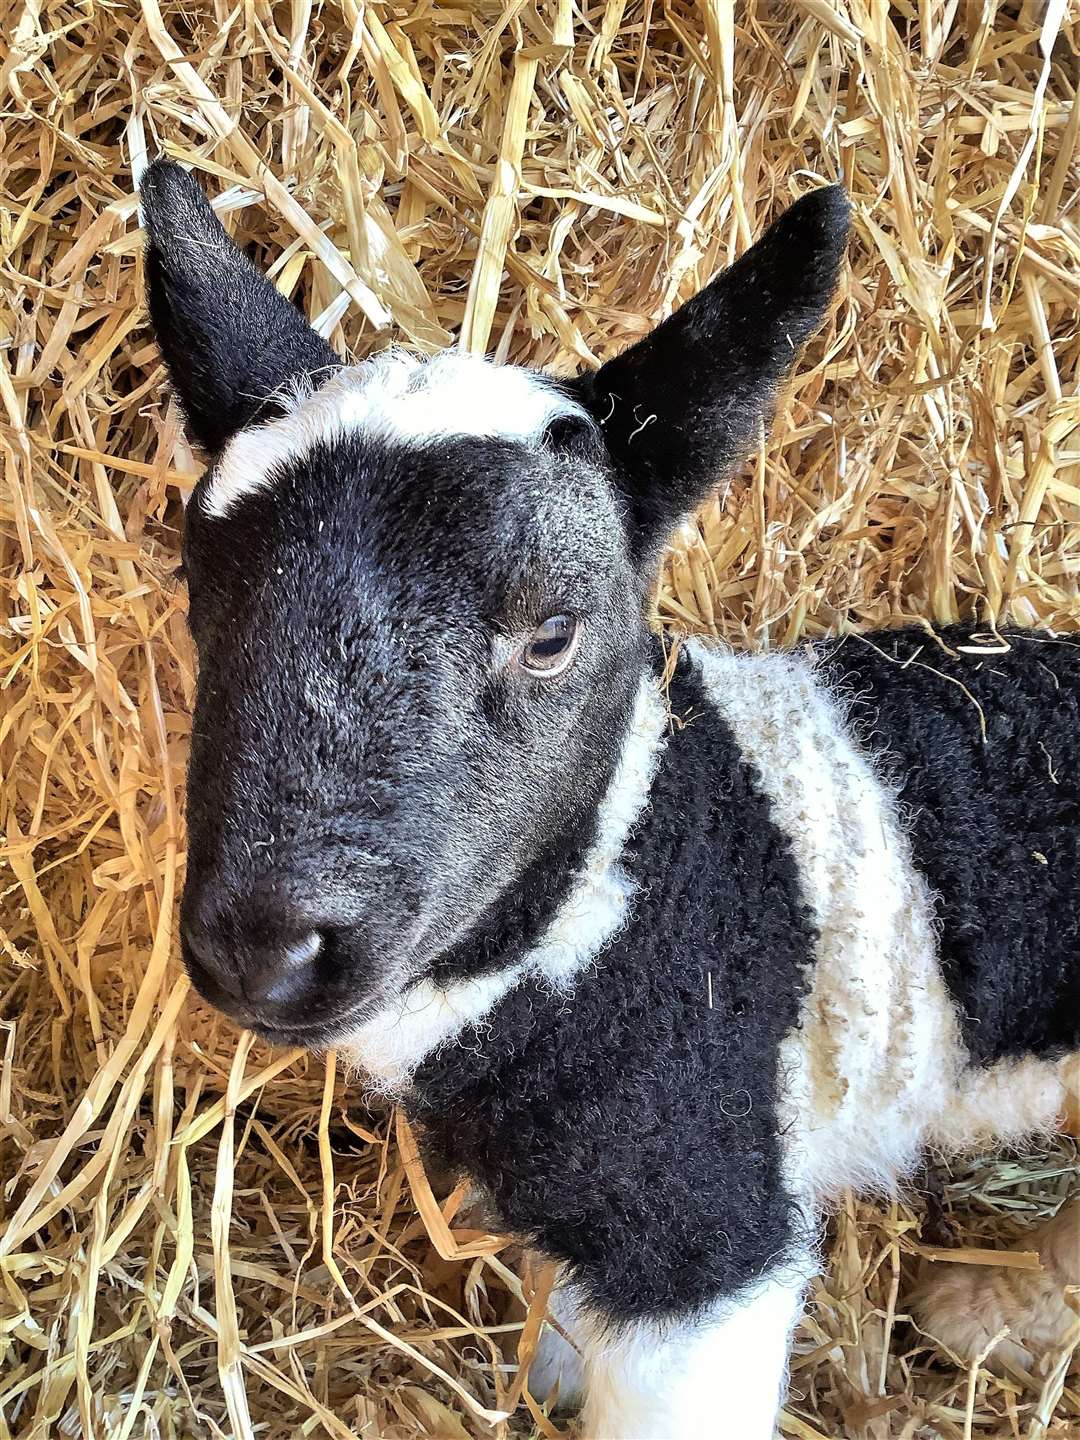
[{"x": 715, "y": 1379}]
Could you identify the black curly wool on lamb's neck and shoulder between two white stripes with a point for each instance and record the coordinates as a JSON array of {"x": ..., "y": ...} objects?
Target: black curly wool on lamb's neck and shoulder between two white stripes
[{"x": 631, "y": 1130}]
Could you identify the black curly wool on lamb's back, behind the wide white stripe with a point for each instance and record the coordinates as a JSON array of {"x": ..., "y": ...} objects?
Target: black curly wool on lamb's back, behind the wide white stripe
[{"x": 993, "y": 819}]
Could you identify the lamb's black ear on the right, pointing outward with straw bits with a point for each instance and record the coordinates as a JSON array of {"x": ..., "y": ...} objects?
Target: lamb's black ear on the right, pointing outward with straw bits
[{"x": 685, "y": 404}]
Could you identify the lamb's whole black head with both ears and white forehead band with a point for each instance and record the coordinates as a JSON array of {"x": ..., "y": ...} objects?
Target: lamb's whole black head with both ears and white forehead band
[{"x": 417, "y": 594}]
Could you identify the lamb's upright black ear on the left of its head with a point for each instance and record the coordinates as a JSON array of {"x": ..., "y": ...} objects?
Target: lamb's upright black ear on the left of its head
[{"x": 230, "y": 339}]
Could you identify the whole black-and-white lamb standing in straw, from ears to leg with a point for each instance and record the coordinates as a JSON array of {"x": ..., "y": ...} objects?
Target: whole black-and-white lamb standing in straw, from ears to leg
[{"x": 662, "y": 970}]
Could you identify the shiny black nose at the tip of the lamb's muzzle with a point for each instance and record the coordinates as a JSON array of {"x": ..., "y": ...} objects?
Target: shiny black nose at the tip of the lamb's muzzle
[{"x": 244, "y": 973}]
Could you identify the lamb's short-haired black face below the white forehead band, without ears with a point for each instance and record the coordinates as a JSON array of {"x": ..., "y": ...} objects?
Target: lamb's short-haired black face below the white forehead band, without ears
[{"x": 415, "y": 670}]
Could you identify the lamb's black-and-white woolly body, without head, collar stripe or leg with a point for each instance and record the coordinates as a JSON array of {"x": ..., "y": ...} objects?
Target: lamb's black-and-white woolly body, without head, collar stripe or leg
[{"x": 813, "y": 983}]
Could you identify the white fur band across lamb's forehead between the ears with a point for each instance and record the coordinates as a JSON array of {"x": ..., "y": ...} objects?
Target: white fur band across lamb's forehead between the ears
[{"x": 395, "y": 397}]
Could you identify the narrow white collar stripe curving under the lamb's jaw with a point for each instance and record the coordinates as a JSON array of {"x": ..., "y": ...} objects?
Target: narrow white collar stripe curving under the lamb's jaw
[{"x": 392, "y": 1043}]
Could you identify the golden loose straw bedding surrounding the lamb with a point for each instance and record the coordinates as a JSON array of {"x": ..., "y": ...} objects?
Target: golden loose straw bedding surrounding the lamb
[{"x": 201, "y": 1238}]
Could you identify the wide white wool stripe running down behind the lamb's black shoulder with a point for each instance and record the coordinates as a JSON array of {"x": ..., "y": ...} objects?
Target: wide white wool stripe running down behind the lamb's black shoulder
[{"x": 878, "y": 1053}]
